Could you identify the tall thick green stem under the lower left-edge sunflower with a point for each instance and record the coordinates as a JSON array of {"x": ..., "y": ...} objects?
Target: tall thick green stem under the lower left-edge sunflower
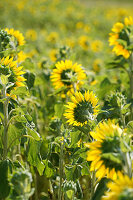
[{"x": 5, "y": 136}]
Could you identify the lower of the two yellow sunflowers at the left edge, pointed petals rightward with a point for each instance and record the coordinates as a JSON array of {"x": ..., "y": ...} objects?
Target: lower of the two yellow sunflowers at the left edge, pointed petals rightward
[{"x": 10, "y": 68}]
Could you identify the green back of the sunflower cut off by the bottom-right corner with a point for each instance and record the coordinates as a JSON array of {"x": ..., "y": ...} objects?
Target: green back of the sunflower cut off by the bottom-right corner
[{"x": 127, "y": 194}]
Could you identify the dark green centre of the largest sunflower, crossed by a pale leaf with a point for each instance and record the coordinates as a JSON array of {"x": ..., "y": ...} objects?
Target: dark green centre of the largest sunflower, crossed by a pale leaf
[{"x": 111, "y": 153}]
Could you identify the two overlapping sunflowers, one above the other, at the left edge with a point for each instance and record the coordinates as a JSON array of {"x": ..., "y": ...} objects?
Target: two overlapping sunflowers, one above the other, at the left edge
[{"x": 10, "y": 65}]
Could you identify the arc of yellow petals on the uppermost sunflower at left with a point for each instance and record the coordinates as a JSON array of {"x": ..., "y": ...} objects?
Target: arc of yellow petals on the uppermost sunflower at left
[{"x": 17, "y": 35}]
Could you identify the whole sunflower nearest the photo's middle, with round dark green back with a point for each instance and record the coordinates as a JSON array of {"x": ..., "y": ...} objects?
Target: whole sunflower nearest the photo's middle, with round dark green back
[{"x": 82, "y": 108}]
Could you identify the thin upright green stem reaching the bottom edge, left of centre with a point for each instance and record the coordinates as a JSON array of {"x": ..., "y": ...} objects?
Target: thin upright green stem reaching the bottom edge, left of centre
[{"x": 61, "y": 170}]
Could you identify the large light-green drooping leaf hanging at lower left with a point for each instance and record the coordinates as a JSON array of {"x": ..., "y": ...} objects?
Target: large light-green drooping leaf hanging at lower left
[{"x": 34, "y": 157}]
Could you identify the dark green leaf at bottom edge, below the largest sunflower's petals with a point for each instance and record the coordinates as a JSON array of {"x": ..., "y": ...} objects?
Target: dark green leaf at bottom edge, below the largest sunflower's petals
[{"x": 100, "y": 189}]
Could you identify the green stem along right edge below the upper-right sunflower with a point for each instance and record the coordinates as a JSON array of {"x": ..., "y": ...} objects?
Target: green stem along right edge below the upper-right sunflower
[{"x": 131, "y": 82}]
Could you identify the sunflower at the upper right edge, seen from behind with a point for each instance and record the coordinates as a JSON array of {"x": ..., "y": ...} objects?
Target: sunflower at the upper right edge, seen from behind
[{"x": 120, "y": 32}]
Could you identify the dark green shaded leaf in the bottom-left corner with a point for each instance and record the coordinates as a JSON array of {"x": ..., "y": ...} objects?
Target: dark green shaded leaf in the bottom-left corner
[{"x": 4, "y": 183}]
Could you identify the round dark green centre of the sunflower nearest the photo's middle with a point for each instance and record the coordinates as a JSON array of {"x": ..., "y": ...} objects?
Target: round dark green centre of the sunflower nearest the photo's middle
[{"x": 83, "y": 112}]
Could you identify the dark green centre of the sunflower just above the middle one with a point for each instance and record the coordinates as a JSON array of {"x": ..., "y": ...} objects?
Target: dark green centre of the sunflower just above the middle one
[{"x": 66, "y": 76}]
